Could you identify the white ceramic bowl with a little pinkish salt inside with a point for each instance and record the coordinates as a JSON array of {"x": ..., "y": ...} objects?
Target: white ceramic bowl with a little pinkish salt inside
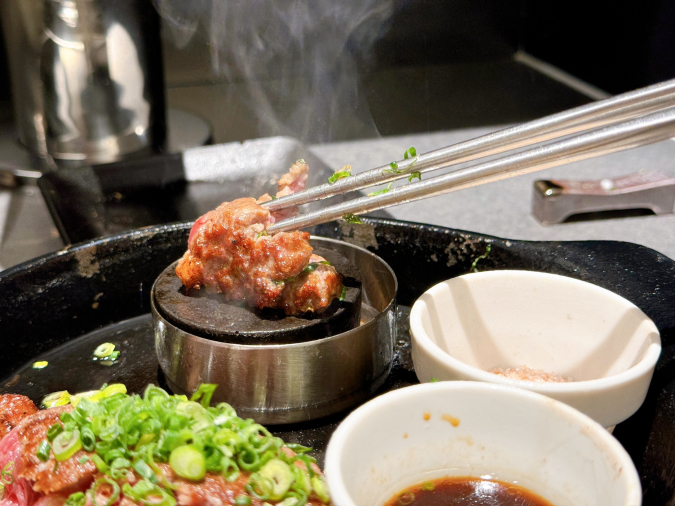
[{"x": 466, "y": 326}]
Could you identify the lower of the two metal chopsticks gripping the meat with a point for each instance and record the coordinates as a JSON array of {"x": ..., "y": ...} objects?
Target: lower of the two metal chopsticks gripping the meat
[{"x": 628, "y": 134}]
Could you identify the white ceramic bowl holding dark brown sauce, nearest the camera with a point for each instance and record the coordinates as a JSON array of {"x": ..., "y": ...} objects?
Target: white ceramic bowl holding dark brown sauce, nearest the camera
[{"x": 477, "y": 429}]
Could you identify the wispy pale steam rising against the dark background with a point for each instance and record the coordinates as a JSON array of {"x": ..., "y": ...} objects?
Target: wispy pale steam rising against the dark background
[{"x": 299, "y": 60}]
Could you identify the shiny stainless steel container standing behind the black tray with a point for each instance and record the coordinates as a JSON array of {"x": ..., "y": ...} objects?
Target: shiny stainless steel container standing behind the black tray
[{"x": 86, "y": 77}]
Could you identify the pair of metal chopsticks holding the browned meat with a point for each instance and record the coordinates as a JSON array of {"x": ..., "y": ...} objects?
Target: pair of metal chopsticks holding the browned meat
[{"x": 633, "y": 119}]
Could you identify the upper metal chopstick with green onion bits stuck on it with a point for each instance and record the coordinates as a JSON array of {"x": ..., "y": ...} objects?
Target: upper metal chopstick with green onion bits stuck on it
[{"x": 593, "y": 115}]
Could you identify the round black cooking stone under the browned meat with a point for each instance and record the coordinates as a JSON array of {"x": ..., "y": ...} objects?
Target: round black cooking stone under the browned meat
[{"x": 212, "y": 317}]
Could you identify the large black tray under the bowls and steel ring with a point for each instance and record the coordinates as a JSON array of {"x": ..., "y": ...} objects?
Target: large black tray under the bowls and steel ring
[{"x": 59, "y": 306}]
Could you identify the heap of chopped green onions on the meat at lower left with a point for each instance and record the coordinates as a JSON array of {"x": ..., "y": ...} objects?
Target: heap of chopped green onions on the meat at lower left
[{"x": 130, "y": 432}]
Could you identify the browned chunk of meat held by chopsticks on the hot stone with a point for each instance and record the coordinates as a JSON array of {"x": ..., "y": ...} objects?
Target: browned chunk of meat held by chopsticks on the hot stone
[{"x": 230, "y": 253}]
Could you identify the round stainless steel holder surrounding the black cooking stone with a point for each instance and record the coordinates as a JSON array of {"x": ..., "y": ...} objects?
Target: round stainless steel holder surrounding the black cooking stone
[{"x": 277, "y": 384}]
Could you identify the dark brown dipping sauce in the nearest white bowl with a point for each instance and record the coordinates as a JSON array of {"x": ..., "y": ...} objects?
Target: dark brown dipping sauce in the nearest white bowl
[{"x": 466, "y": 491}]
